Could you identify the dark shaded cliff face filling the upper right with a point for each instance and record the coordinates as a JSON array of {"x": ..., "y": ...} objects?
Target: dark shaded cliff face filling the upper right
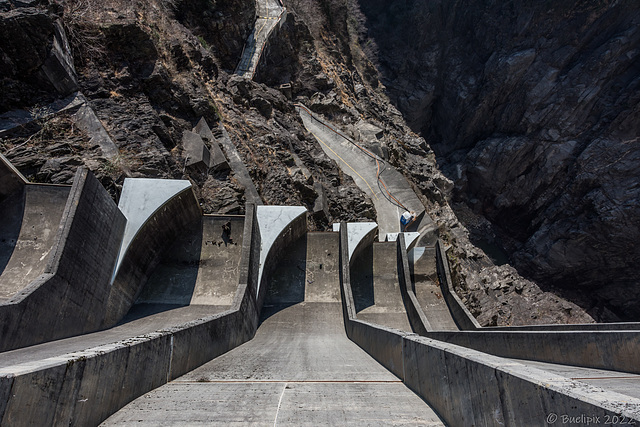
[{"x": 533, "y": 111}]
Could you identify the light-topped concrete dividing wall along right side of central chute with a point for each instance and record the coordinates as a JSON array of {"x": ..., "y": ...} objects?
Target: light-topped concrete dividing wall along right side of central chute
[{"x": 467, "y": 387}]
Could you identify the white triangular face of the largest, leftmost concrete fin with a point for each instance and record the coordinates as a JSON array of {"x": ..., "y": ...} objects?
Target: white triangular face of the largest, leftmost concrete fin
[{"x": 139, "y": 199}]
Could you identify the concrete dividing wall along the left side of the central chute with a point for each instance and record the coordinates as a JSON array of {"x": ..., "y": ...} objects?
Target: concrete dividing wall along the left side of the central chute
[{"x": 84, "y": 388}]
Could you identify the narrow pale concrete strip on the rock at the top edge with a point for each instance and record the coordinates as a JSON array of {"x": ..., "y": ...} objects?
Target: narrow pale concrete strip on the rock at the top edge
[{"x": 268, "y": 14}]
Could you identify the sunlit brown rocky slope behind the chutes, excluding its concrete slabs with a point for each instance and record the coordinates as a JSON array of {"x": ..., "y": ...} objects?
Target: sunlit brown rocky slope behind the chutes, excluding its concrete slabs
[{"x": 151, "y": 69}]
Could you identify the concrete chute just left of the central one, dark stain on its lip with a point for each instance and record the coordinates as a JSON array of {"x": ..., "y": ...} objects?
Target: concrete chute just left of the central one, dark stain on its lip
[{"x": 196, "y": 278}]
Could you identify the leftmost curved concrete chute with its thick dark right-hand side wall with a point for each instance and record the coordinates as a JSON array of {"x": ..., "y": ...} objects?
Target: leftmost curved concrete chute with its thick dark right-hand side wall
[{"x": 58, "y": 246}]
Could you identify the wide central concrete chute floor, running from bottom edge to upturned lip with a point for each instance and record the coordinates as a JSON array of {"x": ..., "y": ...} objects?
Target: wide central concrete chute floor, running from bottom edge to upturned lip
[{"x": 300, "y": 369}]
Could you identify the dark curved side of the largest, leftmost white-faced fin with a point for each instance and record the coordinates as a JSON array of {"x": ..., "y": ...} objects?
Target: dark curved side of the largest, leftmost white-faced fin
[{"x": 145, "y": 251}]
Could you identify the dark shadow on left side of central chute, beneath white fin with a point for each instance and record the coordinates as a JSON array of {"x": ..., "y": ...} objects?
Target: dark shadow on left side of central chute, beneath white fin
[{"x": 286, "y": 285}]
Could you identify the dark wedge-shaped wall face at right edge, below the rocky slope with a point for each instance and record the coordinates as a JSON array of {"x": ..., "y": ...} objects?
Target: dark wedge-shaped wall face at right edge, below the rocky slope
[{"x": 612, "y": 350}]
